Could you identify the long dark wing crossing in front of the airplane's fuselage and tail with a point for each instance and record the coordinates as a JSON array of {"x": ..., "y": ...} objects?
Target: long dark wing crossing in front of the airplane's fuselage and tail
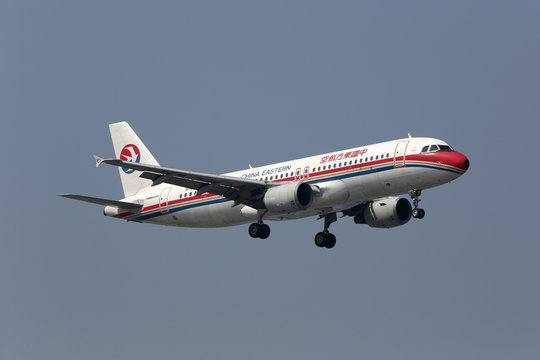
[{"x": 241, "y": 191}]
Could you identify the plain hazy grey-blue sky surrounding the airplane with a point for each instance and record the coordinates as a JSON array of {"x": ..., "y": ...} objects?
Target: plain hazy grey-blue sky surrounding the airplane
[{"x": 214, "y": 86}]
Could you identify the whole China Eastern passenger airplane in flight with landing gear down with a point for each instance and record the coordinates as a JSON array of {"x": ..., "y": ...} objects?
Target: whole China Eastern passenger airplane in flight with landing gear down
[{"x": 364, "y": 182}]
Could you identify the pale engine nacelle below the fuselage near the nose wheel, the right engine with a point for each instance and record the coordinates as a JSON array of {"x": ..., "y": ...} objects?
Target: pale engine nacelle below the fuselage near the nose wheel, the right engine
[{"x": 385, "y": 213}]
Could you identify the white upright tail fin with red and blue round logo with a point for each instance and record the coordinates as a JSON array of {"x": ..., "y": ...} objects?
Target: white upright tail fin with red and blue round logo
[{"x": 128, "y": 147}]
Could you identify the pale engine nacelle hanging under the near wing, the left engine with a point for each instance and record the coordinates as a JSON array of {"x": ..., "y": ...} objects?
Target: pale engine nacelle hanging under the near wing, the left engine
[{"x": 288, "y": 198}]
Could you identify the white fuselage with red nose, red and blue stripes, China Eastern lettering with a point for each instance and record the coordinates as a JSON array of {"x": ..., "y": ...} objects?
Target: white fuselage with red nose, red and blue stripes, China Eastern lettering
[{"x": 342, "y": 180}]
